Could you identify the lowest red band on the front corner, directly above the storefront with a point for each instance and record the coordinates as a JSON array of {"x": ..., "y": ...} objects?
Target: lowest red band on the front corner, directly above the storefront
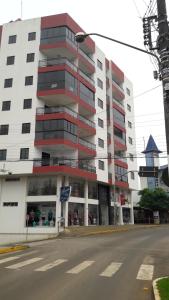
[{"x": 66, "y": 170}]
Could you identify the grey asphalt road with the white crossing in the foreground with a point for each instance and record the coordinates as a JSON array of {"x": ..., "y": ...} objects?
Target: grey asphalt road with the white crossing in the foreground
[{"x": 111, "y": 267}]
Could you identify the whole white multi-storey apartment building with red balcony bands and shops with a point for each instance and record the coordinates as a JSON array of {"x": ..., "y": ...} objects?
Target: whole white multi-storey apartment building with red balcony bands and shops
[{"x": 63, "y": 122}]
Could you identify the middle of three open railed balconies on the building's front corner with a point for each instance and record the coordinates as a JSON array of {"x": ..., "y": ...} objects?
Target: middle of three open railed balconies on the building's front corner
[{"x": 86, "y": 127}]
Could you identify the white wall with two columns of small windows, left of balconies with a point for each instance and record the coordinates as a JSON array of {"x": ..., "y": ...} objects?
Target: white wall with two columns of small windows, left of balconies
[{"x": 18, "y": 92}]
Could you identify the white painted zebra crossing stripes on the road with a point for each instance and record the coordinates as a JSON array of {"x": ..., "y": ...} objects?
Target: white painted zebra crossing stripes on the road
[{"x": 144, "y": 272}]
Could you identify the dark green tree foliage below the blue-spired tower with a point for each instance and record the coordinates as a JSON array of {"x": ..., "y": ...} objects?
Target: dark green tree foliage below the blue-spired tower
[{"x": 156, "y": 199}]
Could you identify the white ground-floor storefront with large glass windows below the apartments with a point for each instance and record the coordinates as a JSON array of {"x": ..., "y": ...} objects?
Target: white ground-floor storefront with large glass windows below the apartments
[{"x": 31, "y": 206}]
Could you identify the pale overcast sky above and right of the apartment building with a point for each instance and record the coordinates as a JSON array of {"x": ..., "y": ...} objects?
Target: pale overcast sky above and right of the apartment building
[{"x": 120, "y": 20}]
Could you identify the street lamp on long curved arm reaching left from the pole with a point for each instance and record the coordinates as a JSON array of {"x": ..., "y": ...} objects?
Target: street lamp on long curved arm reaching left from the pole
[{"x": 81, "y": 36}]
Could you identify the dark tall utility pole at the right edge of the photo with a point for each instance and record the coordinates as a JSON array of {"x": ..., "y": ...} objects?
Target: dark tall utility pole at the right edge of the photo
[{"x": 163, "y": 50}]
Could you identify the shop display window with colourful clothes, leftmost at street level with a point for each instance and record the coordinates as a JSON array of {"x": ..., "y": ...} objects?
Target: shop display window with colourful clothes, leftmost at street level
[{"x": 41, "y": 214}]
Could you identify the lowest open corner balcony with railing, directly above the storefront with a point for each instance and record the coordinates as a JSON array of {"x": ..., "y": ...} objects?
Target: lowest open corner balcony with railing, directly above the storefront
[{"x": 66, "y": 166}]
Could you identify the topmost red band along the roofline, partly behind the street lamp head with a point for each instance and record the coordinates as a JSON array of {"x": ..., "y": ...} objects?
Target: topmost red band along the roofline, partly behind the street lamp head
[{"x": 66, "y": 20}]
